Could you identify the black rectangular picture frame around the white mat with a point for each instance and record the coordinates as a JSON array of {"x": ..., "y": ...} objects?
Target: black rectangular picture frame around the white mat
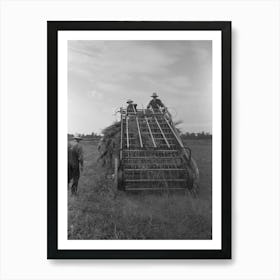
[{"x": 52, "y": 136}]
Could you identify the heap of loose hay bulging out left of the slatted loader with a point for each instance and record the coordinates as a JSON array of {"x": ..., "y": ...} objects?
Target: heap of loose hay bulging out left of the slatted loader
[{"x": 109, "y": 145}]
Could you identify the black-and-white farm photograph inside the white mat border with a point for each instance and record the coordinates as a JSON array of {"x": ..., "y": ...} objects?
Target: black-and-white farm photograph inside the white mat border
[{"x": 140, "y": 139}]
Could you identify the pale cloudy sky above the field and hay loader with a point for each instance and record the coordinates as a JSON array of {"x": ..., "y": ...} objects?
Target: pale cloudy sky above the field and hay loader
[{"x": 102, "y": 75}]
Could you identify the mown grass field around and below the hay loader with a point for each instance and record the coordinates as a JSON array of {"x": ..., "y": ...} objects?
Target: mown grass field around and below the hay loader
[{"x": 101, "y": 212}]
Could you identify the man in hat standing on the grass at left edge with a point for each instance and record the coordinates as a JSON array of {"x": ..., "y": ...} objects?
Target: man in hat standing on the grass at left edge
[{"x": 75, "y": 162}]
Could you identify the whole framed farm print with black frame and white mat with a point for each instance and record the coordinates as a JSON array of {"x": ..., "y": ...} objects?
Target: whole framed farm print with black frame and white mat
[{"x": 139, "y": 140}]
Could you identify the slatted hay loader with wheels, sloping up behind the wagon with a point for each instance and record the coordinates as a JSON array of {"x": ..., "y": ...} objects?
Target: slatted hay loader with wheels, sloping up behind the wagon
[{"x": 152, "y": 154}]
